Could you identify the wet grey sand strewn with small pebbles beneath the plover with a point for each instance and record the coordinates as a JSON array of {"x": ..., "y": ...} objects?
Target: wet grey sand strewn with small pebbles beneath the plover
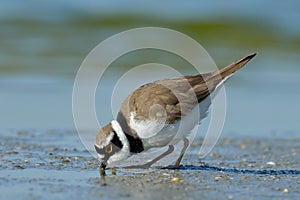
[{"x": 54, "y": 164}]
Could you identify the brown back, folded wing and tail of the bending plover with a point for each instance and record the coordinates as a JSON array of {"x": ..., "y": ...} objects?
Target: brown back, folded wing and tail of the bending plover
[{"x": 176, "y": 97}]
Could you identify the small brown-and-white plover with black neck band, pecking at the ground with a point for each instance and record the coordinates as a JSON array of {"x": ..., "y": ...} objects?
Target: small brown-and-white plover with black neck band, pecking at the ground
[{"x": 150, "y": 116}]
